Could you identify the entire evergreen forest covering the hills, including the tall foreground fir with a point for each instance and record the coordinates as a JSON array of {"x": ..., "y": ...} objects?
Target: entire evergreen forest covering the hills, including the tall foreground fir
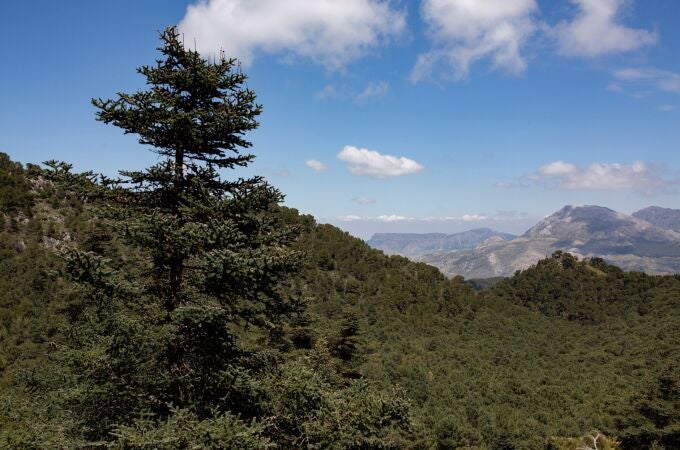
[{"x": 183, "y": 307}]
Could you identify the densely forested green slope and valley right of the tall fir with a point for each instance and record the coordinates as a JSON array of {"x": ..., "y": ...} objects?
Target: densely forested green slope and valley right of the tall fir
[{"x": 554, "y": 351}]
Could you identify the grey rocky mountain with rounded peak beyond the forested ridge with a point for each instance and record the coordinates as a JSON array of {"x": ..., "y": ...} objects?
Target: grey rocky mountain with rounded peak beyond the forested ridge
[{"x": 586, "y": 231}]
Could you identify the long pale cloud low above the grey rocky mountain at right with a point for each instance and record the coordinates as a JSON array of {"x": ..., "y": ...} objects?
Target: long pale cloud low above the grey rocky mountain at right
[{"x": 637, "y": 176}]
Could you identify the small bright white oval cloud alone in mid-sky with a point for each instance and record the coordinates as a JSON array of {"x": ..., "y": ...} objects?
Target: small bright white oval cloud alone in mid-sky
[{"x": 370, "y": 163}]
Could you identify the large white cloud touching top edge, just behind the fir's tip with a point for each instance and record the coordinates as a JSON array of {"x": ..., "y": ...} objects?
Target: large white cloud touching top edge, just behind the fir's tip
[{"x": 329, "y": 32}]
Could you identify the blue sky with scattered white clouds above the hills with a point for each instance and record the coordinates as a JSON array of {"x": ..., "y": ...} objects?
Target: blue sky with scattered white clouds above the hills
[{"x": 427, "y": 115}]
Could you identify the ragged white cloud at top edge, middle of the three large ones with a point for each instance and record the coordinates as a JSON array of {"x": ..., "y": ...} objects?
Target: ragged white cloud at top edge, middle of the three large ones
[{"x": 465, "y": 31}]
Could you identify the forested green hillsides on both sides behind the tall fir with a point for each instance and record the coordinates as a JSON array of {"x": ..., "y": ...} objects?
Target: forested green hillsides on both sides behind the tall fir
[{"x": 560, "y": 349}]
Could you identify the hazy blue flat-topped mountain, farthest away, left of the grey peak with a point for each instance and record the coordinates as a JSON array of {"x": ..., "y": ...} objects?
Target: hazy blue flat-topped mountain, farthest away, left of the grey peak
[{"x": 415, "y": 244}]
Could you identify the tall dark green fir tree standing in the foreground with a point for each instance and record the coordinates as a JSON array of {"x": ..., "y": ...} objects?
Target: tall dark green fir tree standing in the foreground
[{"x": 205, "y": 256}]
